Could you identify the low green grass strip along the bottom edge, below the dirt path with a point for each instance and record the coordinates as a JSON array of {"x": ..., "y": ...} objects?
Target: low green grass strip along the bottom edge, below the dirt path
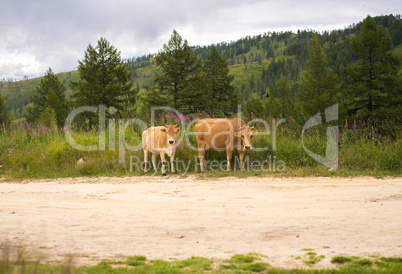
[{"x": 240, "y": 263}]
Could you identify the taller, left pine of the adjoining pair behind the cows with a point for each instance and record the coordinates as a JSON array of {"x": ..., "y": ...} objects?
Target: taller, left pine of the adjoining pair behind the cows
[{"x": 179, "y": 77}]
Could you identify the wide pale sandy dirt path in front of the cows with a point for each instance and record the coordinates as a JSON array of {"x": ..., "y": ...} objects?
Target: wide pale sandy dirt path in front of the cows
[{"x": 176, "y": 218}]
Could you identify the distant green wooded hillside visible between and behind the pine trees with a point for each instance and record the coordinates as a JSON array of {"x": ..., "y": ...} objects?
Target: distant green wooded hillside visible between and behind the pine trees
[{"x": 256, "y": 62}]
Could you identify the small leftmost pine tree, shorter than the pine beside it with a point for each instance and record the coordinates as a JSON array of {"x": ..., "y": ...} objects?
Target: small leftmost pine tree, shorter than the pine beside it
[{"x": 51, "y": 93}]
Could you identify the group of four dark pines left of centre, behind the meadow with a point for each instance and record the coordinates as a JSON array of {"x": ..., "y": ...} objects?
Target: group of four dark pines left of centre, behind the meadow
[{"x": 183, "y": 82}]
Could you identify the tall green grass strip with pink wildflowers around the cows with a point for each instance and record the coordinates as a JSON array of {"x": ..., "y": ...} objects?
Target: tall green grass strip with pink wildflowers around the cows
[{"x": 26, "y": 149}]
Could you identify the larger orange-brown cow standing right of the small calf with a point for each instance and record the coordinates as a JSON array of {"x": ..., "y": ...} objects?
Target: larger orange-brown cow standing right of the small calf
[{"x": 223, "y": 134}]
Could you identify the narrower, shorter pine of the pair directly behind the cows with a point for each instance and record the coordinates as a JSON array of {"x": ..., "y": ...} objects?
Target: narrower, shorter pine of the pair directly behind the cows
[{"x": 221, "y": 95}]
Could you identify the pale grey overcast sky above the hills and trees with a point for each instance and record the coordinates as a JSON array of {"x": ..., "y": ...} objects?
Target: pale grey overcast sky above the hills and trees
[{"x": 39, "y": 34}]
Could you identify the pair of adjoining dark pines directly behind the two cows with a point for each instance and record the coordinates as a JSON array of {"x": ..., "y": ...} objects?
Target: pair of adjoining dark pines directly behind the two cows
[{"x": 189, "y": 85}]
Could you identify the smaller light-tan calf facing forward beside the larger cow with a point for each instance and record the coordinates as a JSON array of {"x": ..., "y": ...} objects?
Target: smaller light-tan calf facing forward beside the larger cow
[{"x": 161, "y": 139}]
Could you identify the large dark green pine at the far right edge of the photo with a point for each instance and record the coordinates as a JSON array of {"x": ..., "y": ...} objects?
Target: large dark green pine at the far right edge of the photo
[{"x": 372, "y": 85}]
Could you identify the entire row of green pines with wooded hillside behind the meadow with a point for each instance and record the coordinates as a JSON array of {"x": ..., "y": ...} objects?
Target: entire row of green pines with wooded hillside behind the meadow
[{"x": 360, "y": 72}]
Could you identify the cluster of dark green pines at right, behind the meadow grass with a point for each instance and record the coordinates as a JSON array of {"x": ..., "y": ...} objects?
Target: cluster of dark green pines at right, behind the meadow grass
[{"x": 369, "y": 88}]
